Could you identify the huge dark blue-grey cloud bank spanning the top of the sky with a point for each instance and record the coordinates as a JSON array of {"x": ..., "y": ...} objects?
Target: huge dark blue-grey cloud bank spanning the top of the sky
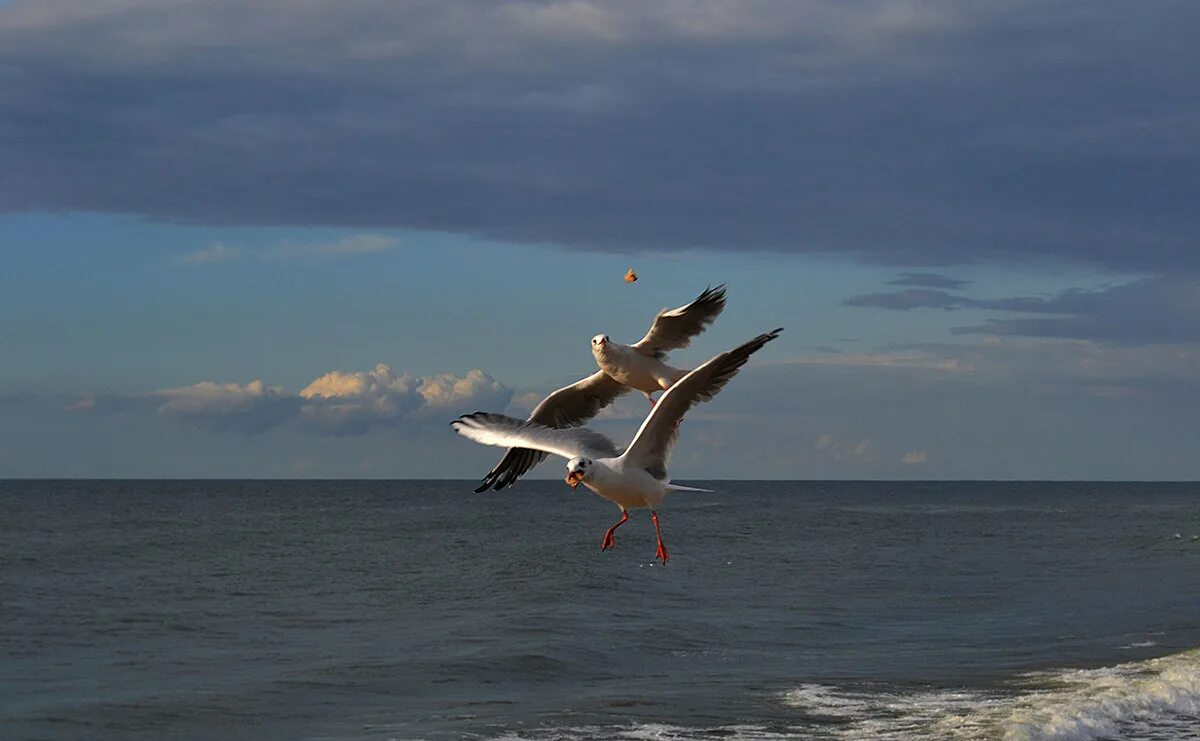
[{"x": 927, "y": 134}]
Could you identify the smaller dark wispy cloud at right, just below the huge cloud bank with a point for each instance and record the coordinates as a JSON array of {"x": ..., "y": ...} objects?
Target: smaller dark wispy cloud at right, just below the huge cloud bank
[{"x": 1155, "y": 310}]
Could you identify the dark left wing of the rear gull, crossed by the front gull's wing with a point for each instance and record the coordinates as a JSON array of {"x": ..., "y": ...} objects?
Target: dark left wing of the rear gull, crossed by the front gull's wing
[{"x": 568, "y": 407}]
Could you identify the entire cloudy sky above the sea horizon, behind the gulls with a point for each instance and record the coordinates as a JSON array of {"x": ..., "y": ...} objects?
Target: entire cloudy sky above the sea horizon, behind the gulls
[{"x": 297, "y": 239}]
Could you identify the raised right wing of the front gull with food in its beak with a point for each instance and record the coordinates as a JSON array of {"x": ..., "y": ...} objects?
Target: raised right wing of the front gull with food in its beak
[{"x": 652, "y": 445}]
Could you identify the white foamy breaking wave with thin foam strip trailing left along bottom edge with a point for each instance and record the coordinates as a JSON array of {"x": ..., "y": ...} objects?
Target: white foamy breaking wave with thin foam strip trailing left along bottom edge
[{"x": 1150, "y": 701}]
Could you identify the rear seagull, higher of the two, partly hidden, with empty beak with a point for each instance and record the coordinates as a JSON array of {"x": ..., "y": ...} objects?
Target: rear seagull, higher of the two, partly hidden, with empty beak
[{"x": 639, "y": 366}]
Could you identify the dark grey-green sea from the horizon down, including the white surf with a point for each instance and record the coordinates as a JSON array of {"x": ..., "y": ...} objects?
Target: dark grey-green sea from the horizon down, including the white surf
[{"x": 409, "y": 610}]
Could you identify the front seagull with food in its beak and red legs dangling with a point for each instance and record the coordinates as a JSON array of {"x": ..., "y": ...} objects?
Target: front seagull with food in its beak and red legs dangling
[{"x": 637, "y": 478}]
